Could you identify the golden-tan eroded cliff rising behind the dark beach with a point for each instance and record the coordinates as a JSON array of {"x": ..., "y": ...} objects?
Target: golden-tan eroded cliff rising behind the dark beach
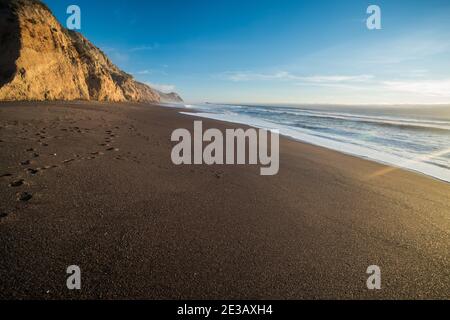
[{"x": 41, "y": 60}]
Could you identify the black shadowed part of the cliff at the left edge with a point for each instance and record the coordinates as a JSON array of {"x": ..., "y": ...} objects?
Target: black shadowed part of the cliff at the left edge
[{"x": 10, "y": 44}]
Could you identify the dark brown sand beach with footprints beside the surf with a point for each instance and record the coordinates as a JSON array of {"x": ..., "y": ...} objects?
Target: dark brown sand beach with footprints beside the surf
[{"x": 93, "y": 185}]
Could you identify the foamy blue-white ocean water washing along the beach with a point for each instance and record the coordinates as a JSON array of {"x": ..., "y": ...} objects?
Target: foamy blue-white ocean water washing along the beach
[{"x": 415, "y": 138}]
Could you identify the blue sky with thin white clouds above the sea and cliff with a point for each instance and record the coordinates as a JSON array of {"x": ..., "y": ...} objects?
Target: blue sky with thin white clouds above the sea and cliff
[{"x": 267, "y": 51}]
